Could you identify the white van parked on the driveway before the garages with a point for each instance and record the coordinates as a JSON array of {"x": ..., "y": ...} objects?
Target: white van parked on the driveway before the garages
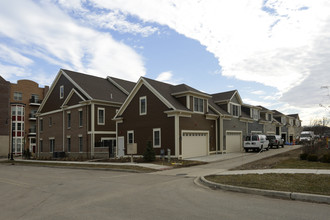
[{"x": 256, "y": 142}]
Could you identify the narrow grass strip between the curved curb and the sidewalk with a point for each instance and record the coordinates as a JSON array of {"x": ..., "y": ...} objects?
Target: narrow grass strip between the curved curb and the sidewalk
[{"x": 304, "y": 183}]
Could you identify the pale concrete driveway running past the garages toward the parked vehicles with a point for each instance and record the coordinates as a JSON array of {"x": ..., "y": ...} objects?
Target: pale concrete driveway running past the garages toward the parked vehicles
[{"x": 221, "y": 163}]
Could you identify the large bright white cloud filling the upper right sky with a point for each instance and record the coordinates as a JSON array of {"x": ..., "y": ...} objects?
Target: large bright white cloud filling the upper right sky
[{"x": 251, "y": 44}]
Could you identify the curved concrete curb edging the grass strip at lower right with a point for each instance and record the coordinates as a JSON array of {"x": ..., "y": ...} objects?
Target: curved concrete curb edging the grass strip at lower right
[{"x": 270, "y": 193}]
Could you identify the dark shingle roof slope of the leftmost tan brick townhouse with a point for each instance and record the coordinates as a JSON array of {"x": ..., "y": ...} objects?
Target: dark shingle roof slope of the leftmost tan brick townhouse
[{"x": 97, "y": 87}]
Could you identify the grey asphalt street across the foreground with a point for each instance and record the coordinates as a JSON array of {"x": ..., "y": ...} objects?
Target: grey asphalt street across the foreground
[{"x": 29, "y": 192}]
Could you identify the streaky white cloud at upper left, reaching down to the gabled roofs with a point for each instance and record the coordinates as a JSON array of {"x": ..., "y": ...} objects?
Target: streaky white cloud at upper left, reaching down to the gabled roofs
[{"x": 45, "y": 31}]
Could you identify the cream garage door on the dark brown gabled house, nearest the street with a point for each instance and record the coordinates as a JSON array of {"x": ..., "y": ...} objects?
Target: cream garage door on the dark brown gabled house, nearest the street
[{"x": 194, "y": 144}]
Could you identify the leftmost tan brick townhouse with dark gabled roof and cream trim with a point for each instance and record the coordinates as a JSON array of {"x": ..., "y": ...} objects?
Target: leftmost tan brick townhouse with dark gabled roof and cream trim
[{"x": 75, "y": 119}]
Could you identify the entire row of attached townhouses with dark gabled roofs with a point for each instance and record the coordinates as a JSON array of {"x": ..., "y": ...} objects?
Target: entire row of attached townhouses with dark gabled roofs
[{"x": 92, "y": 117}]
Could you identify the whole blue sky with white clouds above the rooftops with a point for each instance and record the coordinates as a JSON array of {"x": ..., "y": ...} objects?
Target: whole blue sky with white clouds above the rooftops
[{"x": 275, "y": 53}]
